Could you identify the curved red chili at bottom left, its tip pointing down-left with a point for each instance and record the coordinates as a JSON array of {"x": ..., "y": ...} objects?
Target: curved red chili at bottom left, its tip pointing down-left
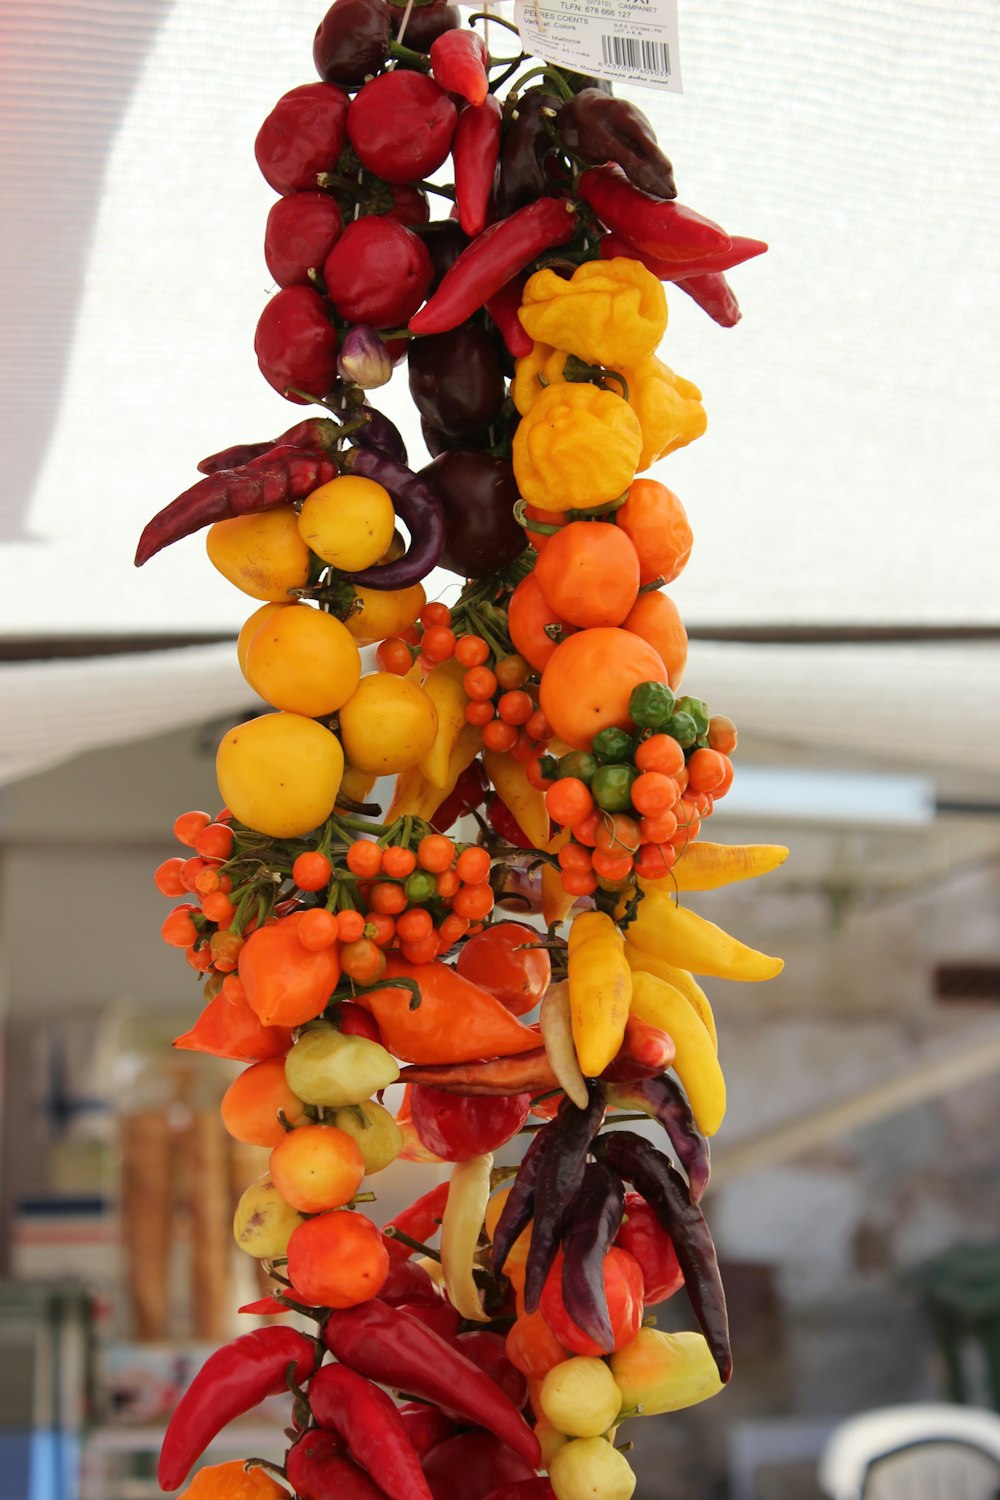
[{"x": 233, "y": 1381}]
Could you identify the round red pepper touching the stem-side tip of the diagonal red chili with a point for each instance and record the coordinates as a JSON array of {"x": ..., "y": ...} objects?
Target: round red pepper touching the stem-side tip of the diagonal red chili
[{"x": 379, "y": 272}]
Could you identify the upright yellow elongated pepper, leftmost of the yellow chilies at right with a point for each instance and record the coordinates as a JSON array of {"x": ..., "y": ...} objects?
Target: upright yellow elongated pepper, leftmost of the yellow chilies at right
[{"x": 600, "y": 991}]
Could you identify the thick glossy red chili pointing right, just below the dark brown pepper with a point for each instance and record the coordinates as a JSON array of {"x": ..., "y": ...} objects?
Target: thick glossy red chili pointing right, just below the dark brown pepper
[{"x": 656, "y": 226}]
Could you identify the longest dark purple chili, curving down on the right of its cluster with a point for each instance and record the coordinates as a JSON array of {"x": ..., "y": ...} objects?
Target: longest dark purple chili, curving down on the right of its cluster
[{"x": 666, "y": 1193}]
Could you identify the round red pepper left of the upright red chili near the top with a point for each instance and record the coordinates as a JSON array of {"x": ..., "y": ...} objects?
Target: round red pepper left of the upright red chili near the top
[{"x": 401, "y": 127}]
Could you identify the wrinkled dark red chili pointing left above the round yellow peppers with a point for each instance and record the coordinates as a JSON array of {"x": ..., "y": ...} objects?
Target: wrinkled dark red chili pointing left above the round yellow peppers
[{"x": 275, "y": 479}]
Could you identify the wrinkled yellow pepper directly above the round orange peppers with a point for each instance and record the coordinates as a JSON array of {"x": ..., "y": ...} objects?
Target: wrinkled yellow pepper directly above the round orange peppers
[{"x": 576, "y": 449}]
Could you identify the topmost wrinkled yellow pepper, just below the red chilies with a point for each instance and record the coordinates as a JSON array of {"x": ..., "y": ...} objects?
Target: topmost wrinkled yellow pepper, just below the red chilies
[{"x": 608, "y": 313}]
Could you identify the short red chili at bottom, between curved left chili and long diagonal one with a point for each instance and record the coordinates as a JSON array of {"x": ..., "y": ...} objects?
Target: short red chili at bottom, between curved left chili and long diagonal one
[{"x": 356, "y": 1411}]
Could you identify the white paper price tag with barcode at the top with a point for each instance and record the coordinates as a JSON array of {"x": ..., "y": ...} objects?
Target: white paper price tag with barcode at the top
[{"x": 626, "y": 41}]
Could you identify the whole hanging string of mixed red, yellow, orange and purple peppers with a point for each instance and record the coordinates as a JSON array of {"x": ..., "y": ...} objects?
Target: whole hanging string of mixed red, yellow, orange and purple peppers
[{"x": 493, "y": 1339}]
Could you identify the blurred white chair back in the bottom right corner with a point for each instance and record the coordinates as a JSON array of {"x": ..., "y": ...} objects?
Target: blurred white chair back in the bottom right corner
[{"x": 914, "y": 1453}]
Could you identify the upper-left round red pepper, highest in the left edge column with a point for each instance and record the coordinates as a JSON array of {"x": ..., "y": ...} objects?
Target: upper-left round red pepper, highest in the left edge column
[{"x": 302, "y": 137}]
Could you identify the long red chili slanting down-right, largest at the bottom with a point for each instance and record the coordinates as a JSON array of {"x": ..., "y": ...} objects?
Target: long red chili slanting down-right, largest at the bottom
[{"x": 391, "y": 1346}]
